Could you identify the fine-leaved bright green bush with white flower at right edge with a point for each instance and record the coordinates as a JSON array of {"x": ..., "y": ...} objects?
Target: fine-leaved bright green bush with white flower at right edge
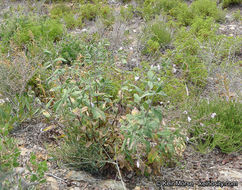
[{"x": 217, "y": 124}]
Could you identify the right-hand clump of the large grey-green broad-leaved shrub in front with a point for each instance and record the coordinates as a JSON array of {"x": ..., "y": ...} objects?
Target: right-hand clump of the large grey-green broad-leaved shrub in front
[{"x": 144, "y": 123}]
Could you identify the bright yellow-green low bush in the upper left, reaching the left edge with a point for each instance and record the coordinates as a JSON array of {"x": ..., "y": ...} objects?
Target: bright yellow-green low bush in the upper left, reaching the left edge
[{"x": 30, "y": 32}]
